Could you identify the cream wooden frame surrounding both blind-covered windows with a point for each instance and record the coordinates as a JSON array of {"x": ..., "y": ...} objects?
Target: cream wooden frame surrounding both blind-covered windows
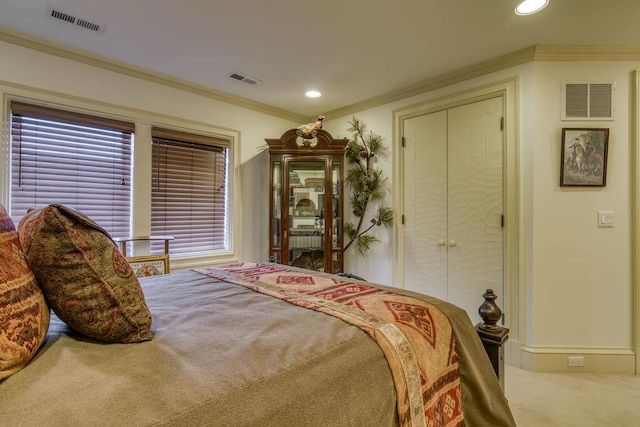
[{"x": 141, "y": 178}]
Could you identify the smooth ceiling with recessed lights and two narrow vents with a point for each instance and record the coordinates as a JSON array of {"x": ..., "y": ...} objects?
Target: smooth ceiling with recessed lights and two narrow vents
[{"x": 350, "y": 50}]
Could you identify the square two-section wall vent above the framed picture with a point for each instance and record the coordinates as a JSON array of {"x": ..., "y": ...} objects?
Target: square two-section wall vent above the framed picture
[{"x": 587, "y": 101}]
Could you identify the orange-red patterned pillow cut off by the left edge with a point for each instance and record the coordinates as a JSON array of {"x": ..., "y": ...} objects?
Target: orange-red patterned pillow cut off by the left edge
[{"x": 24, "y": 315}]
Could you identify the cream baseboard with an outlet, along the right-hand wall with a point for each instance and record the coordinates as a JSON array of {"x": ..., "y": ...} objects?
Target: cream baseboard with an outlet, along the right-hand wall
[{"x": 555, "y": 359}]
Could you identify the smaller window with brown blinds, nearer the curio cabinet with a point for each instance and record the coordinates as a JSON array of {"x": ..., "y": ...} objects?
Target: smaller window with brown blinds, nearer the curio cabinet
[{"x": 189, "y": 194}]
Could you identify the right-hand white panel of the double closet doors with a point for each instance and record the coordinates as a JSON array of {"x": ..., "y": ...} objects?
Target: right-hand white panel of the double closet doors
[{"x": 475, "y": 203}]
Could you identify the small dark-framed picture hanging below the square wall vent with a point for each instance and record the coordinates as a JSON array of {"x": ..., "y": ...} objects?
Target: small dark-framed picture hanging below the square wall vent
[{"x": 584, "y": 157}]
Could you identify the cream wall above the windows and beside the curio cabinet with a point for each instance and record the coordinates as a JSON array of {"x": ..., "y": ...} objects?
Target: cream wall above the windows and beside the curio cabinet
[{"x": 31, "y": 73}]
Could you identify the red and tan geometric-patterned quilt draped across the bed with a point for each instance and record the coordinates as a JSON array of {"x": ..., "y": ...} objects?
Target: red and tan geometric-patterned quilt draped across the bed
[{"x": 416, "y": 337}]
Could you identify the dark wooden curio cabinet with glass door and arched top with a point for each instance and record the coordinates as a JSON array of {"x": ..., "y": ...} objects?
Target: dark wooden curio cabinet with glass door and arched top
[{"x": 306, "y": 203}]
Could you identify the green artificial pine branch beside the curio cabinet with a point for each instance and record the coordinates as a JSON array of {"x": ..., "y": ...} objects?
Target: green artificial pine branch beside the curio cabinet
[{"x": 365, "y": 181}]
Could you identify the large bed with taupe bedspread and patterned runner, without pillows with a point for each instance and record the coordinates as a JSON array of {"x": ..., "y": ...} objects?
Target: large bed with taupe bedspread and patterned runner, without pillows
[{"x": 229, "y": 347}]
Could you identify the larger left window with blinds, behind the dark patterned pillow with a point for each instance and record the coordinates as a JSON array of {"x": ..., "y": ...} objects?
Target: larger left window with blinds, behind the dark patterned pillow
[{"x": 74, "y": 159}]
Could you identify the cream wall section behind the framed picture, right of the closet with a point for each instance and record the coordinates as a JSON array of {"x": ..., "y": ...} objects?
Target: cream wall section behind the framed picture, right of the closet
[{"x": 580, "y": 282}]
